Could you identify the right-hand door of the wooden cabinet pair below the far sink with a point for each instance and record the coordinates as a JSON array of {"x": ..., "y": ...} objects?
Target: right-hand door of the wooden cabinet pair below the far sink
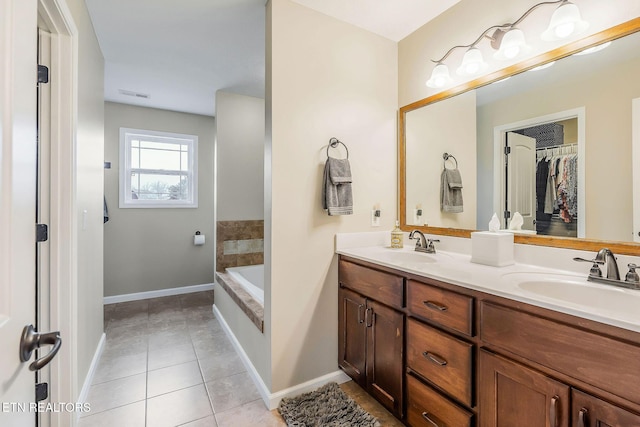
[{"x": 385, "y": 355}]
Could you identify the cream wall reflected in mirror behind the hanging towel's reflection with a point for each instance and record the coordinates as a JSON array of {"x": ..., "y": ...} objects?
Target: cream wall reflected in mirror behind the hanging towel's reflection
[{"x": 443, "y": 127}]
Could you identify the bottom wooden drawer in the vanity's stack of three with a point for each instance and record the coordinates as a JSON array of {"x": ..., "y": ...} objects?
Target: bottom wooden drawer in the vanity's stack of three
[{"x": 428, "y": 408}]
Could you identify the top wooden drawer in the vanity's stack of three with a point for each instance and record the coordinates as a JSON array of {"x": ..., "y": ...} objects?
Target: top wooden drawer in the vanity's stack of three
[{"x": 447, "y": 308}]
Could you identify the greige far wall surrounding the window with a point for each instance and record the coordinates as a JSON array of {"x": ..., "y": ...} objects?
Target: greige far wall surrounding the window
[{"x": 152, "y": 249}]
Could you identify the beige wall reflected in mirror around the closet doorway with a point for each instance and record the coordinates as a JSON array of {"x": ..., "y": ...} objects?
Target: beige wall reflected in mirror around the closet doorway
[{"x": 606, "y": 96}]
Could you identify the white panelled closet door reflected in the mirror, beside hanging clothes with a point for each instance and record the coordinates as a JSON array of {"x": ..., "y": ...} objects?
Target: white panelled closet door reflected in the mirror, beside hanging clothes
[{"x": 521, "y": 183}]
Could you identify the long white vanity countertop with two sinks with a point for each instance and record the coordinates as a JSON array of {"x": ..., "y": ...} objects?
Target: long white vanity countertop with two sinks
[{"x": 558, "y": 290}]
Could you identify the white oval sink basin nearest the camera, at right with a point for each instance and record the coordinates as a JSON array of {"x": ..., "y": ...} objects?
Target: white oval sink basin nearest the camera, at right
[{"x": 575, "y": 289}]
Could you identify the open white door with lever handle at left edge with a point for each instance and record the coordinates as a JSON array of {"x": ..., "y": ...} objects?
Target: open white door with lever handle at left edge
[{"x": 17, "y": 205}]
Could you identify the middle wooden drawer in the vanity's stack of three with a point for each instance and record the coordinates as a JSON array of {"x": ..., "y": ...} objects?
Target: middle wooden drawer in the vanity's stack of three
[{"x": 442, "y": 359}]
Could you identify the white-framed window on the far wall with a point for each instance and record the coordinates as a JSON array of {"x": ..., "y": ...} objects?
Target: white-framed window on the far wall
[{"x": 158, "y": 169}]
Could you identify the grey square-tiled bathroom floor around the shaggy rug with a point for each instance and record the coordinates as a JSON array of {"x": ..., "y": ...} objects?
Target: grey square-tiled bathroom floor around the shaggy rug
[{"x": 167, "y": 362}]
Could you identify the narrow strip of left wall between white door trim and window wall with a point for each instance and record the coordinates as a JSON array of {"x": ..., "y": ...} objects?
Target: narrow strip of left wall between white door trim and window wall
[{"x": 89, "y": 160}]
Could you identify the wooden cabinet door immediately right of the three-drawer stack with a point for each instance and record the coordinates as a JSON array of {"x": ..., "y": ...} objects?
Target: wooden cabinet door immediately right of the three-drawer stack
[{"x": 514, "y": 395}]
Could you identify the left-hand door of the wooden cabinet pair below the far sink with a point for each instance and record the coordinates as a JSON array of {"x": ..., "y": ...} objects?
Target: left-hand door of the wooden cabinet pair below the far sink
[{"x": 352, "y": 335}]
